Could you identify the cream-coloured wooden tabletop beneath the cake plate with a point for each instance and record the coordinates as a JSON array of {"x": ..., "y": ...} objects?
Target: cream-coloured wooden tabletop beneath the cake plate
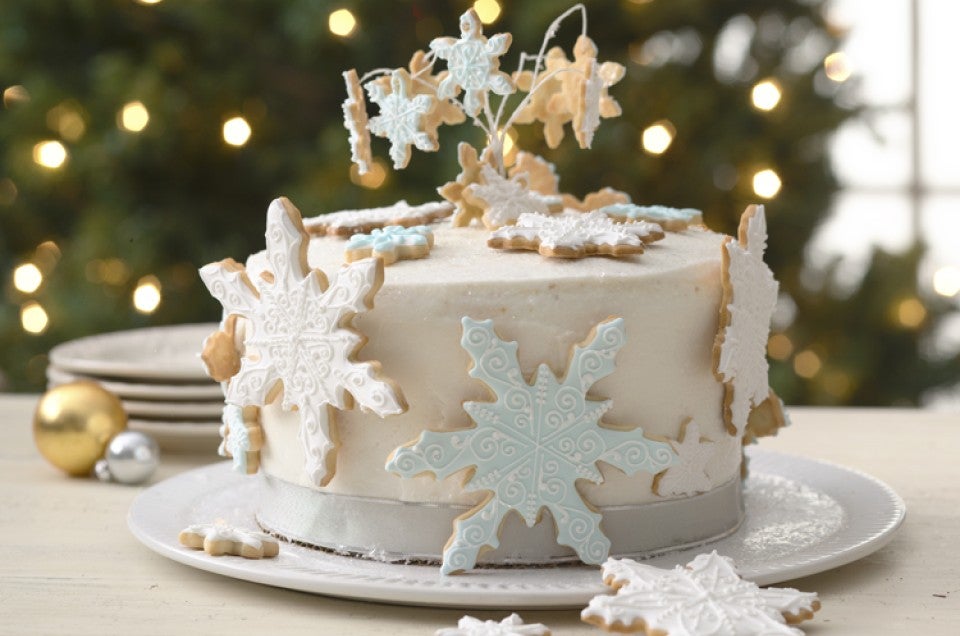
[{"x": 68, "y": 564}]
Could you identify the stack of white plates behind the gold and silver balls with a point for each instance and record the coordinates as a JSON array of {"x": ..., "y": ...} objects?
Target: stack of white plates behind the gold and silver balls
[{"x": 157, "y": 374}]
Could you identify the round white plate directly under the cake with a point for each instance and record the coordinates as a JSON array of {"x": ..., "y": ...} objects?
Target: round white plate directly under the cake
[{"x": 872, "y": 512}]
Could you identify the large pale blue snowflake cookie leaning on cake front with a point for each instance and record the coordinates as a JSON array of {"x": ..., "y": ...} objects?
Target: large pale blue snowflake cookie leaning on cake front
[{"x": 529, "y": 447}]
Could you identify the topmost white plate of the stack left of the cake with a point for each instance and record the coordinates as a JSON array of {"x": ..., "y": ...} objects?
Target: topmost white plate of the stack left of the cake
[{"x": 155, "y": 353}]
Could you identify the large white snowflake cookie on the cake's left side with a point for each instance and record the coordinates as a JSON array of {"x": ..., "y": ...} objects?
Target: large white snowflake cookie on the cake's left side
[{"x": 299, "y": 341}]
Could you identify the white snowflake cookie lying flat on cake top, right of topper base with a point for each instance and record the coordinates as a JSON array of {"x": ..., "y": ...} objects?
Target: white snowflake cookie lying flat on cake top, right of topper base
[{"x": 576, "y": 230}]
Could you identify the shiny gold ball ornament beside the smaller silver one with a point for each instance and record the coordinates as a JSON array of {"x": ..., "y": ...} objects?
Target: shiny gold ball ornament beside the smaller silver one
[{"x": 74, "y": 423}]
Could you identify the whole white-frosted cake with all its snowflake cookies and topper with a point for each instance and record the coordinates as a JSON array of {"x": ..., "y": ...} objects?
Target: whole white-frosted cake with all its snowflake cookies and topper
[{"x": 401, "y": 379}]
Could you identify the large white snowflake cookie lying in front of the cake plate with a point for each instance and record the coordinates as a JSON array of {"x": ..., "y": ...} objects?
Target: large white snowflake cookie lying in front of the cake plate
[{"x": 704, "y": 598}]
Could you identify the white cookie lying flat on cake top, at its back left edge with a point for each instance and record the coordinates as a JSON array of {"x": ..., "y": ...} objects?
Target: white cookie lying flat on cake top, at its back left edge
[{"x": 346, "y": 223}]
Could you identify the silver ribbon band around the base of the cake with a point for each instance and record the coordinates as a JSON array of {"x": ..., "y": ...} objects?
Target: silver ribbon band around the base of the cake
[{"x": 390, "y": 530}]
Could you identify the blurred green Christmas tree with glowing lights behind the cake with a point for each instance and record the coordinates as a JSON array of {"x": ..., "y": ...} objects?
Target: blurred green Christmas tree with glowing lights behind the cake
[{"x": 140, "y": 140}]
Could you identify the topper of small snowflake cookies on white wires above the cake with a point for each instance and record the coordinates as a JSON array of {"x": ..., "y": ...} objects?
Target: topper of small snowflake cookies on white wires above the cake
[{"x": 556, "y": 90}]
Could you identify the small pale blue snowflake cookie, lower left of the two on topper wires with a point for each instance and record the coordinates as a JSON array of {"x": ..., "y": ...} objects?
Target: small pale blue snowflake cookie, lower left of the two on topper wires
[{"x": 401, "y": 118}]
